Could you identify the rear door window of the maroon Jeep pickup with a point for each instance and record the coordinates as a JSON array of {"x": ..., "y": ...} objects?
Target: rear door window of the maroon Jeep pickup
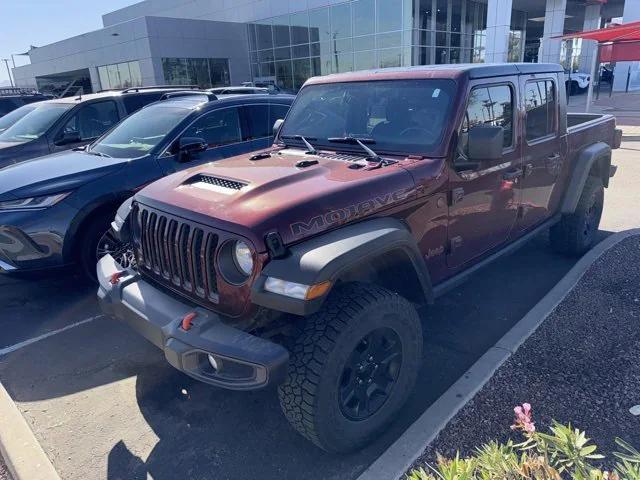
[{"x": 540, "y": 105}]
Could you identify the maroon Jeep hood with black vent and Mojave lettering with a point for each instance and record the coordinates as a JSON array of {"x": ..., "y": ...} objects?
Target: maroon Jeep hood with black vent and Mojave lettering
[{"x": 254, "y": 197}]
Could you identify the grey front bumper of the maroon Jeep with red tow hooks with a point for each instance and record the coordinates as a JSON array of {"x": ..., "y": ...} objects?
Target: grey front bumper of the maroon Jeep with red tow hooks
[{"x": 245, "y": 361}]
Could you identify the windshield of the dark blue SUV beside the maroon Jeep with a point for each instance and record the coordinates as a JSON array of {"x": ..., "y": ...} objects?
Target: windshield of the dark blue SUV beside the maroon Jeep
[{"x": 139, "y": 133}]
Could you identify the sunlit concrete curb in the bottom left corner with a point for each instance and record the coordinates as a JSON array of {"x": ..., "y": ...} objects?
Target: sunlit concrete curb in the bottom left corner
[{"x": 21, "y": 451}]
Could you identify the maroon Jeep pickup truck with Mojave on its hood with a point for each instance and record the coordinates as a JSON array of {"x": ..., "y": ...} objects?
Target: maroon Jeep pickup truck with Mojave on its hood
[{"x": 302, "y": 266}]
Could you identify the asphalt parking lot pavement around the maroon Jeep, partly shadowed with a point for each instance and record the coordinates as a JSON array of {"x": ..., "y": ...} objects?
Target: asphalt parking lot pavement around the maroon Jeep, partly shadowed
[{"x": 104, "y": 404}]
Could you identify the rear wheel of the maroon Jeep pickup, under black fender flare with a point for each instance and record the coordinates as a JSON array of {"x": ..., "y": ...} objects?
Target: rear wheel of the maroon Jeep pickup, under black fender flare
[{"x": 576, "y": 232}]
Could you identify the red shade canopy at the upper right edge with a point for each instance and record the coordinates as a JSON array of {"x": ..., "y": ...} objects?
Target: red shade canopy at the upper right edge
[{"x": 617, "y": 44}]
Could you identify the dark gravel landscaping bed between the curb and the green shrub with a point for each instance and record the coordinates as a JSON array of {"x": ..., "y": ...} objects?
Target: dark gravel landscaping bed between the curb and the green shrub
[{"x": 580, "y": 366}]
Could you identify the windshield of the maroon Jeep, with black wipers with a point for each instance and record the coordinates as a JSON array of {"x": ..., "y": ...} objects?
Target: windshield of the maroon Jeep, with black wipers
[{"x": 393, "y": 116}]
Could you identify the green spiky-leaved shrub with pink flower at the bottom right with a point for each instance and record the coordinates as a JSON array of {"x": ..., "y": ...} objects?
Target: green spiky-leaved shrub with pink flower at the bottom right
[{"x": 564, "y": 453}]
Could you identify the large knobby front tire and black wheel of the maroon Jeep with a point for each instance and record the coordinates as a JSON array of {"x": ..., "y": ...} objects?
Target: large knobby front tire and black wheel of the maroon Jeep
[{"x": 352, "y": 367}]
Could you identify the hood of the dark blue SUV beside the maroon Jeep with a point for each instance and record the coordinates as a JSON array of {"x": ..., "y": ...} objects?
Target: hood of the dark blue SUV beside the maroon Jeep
[{"x": 55, "y": 173}]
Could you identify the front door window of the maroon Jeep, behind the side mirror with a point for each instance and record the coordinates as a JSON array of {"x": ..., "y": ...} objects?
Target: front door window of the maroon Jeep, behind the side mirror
[{"x": 489, "y": 106}]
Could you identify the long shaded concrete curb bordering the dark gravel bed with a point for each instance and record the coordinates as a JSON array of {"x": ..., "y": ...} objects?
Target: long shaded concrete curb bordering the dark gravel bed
[{"x": 395, "y": 461}]
